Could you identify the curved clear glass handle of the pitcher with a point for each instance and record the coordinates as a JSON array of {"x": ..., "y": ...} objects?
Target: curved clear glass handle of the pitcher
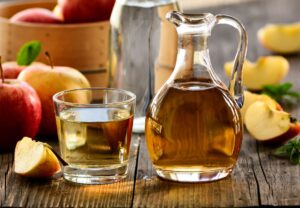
[{"x": 235, "y": 85}]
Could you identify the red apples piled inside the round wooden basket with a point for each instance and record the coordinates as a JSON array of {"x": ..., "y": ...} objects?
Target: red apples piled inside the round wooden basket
[{"x": 68, "y": 11}]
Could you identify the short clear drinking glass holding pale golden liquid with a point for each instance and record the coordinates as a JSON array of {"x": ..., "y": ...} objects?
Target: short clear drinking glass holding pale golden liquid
[{"x": 94, "y": 128}]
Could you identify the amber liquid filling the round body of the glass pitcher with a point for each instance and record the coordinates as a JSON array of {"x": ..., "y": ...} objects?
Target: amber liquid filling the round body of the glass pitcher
[{"x": 194, "y": 127}]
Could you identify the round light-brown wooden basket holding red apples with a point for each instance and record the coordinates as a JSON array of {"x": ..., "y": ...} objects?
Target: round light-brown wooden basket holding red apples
[{"x": 82, "y": 46}]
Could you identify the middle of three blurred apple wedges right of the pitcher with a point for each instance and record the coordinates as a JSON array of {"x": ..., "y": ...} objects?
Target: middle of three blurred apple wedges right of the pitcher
[{"x": 266, "y": 71}]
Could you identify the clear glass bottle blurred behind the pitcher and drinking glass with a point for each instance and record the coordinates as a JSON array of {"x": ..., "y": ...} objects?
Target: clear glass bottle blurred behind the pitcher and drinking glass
[{"x": 143, "y": 47}]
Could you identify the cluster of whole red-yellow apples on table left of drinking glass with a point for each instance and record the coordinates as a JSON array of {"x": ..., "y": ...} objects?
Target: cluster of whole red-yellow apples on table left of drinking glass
[{"x": 26, "y": 106}]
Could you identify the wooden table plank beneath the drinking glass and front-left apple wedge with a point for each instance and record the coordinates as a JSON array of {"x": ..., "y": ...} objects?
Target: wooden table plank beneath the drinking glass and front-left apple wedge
[{"x": 22, "y": 192}]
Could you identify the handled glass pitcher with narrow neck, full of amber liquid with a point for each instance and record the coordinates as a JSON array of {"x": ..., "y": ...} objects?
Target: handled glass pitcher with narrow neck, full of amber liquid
[{"x": 194, "y": 128}]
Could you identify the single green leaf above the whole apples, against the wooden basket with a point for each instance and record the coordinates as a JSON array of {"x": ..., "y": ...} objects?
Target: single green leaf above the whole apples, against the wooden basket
[{"x": 28, "y": 53}]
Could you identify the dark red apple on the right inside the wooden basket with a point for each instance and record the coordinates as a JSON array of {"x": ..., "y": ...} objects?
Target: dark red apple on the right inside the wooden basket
[{"x": 79, "y": 11}]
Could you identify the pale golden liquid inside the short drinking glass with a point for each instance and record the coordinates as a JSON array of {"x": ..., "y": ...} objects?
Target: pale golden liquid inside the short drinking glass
[{"x": 95, "y": 137}]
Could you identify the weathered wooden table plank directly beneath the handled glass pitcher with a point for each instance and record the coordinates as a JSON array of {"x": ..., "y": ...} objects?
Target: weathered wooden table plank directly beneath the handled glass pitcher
[{"x": 238, "y": 190}]
